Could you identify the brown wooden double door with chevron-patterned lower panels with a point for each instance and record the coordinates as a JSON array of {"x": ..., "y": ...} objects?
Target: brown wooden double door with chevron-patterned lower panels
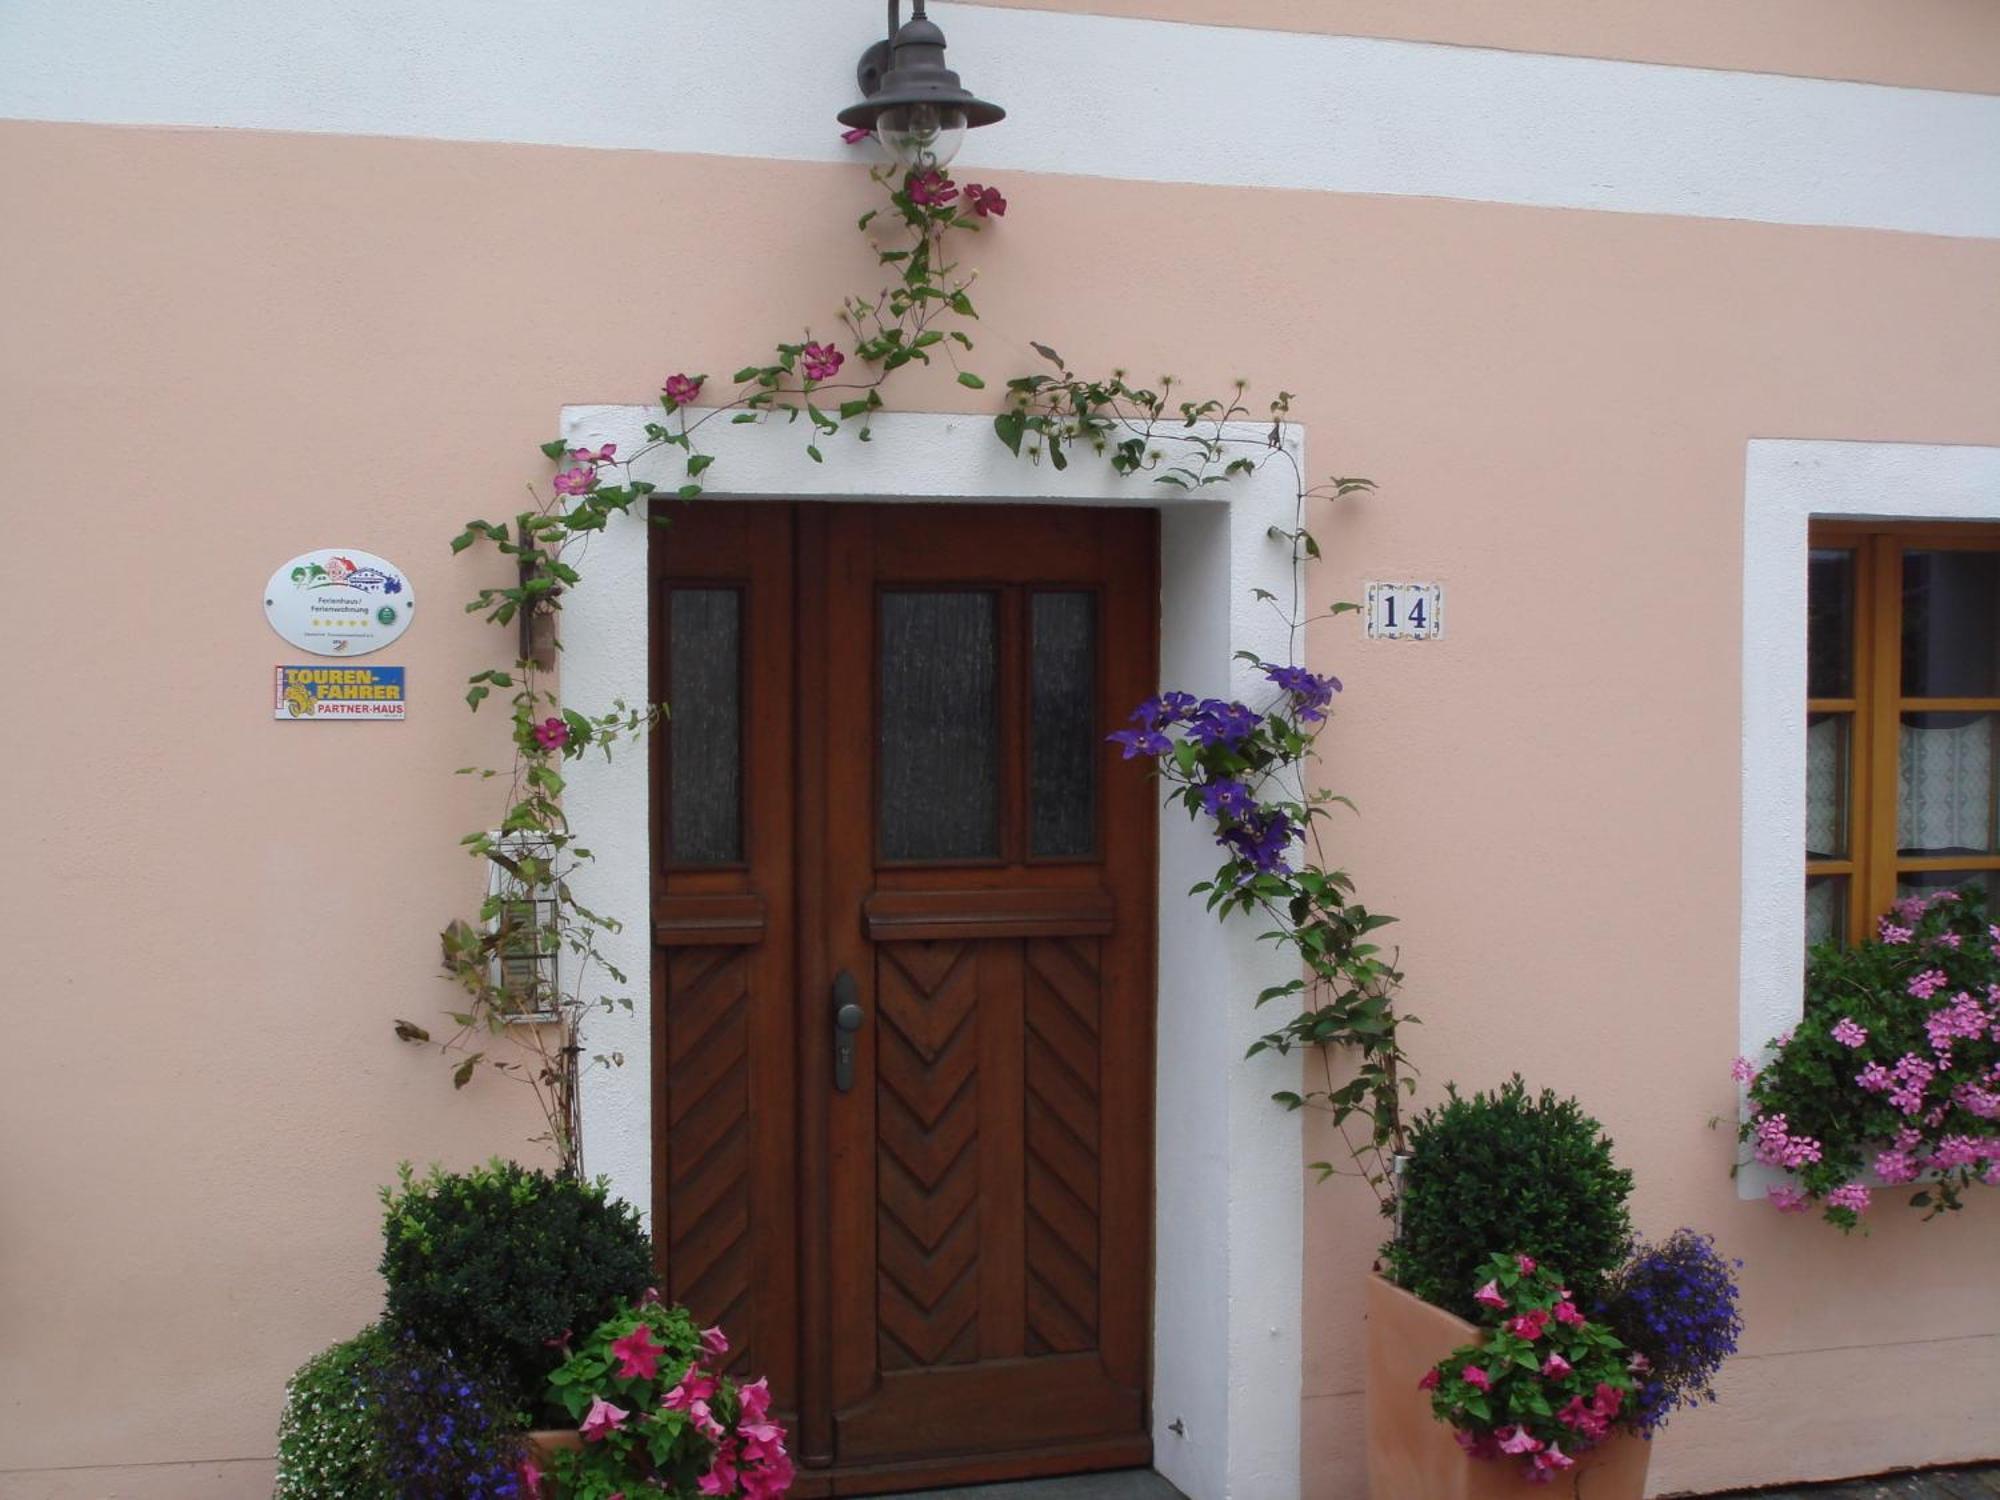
[{"x": 903, "y": 977}]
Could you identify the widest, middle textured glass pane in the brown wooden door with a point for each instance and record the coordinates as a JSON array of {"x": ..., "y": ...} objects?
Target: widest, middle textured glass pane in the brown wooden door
[{"x": 939, "y": 741}]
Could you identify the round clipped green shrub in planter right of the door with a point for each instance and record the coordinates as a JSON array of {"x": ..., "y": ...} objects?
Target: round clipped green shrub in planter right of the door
[{"x": 1507, "y": 1169}]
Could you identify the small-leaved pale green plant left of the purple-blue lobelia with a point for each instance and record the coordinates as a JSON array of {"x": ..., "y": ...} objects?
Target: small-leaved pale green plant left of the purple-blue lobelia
[{"x": 329, "y": 1441}]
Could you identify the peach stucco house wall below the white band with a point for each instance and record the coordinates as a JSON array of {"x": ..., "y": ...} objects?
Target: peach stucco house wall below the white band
[{"x": 231, "y": 347}]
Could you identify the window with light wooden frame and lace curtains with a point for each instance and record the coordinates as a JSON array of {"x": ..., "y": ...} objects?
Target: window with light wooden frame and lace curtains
[{"x": 1903, "y": 719}]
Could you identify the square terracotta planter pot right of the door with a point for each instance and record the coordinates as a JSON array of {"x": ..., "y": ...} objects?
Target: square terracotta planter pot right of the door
[{"x": 1413, "y": 1455}]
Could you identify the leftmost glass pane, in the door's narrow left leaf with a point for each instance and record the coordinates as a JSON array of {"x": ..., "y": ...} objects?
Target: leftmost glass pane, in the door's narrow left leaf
[{"x": 705, "y": 725}]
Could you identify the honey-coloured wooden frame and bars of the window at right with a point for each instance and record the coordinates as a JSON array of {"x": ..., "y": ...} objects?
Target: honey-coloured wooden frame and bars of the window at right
[{"x": 1875, "y": 713}]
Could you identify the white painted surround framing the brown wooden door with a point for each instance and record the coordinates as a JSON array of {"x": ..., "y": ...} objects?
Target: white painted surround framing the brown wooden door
[{"x": 1229, "y": 1183}]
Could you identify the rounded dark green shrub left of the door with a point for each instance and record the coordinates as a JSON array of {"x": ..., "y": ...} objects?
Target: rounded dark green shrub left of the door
[{"x": 501, "y": 1265}]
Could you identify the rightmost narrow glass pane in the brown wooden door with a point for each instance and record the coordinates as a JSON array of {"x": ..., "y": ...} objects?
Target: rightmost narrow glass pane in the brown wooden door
[{"x": 1063, "y": 723}]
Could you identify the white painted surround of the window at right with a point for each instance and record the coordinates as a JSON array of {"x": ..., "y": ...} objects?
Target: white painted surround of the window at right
[{"x": 1785, "y": 487}]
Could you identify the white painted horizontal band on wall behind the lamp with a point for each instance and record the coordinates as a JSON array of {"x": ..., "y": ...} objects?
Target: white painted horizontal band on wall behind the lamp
[{"x": 1087, "y": 95}]
